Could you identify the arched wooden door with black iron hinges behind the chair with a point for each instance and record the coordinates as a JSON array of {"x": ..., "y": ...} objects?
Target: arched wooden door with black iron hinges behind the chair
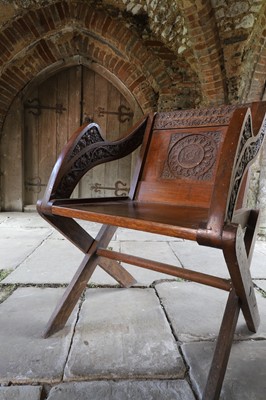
[{"x": 54, "y": 110}]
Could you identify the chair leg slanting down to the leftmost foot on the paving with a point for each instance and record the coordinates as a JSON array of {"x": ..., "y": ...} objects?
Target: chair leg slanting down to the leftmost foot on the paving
[{"x": 79, "y": 282}]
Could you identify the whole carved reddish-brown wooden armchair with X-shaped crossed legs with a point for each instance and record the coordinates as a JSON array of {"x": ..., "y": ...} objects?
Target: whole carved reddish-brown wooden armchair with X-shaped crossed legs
[{"x": 189, "y": 182}]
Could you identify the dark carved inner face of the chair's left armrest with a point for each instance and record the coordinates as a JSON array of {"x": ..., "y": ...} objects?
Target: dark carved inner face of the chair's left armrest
[{"x": 92, "y": 150}]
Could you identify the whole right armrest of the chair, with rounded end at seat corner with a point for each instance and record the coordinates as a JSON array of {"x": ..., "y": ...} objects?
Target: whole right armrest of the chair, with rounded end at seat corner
[{"x": 240, "y": 147}]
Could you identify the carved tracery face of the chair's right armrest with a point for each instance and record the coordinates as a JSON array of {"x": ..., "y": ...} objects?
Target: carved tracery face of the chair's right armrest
[{"x": 247, "y": 152}]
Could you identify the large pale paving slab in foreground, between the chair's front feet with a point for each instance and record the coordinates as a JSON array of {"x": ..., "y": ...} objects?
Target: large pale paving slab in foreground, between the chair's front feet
[{"x": 123, "y": 334}]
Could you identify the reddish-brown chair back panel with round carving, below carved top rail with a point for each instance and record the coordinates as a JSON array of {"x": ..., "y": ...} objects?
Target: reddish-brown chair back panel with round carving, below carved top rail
[{"x": 180, "y": 166}]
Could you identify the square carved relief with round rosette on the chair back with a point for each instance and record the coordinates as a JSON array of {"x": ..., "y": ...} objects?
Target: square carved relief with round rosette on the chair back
[{"x": 191, "y": 156}]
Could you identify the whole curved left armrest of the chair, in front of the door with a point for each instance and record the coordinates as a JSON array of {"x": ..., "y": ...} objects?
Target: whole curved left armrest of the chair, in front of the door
[{"x": 85, "y": 150}]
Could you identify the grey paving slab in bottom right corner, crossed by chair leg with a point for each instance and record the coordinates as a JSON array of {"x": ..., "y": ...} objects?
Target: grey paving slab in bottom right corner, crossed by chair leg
[{"x": 245, "y": 378}]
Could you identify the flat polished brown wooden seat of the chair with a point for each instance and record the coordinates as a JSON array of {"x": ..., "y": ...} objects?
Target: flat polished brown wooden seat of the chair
[{"x": 182, "y": 222}]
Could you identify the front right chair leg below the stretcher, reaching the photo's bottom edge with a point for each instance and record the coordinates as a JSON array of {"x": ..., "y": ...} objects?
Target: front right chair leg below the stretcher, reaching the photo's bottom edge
[{"x": 223, "y": 347}]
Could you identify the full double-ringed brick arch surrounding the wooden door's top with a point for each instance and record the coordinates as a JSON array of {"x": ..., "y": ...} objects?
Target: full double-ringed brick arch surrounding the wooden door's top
[{"x": 61, "y": 30}]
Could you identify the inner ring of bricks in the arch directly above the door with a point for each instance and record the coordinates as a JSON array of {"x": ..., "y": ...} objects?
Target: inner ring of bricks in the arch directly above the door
[{"x": 45, "y": 53}]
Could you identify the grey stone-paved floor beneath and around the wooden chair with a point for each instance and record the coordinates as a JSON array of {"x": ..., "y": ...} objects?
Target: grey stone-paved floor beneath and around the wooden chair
[{"x": 152, "y": 341}]
